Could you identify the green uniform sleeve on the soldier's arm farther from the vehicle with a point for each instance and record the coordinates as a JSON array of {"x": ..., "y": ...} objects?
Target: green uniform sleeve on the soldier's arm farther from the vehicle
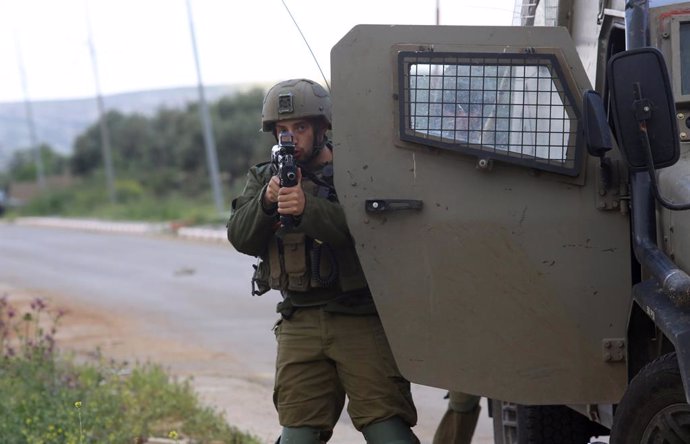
[{"x": 250, "y": 227}]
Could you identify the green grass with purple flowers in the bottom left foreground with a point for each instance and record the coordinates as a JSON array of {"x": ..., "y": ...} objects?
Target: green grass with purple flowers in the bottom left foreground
[{"x": 48, "y": 397}]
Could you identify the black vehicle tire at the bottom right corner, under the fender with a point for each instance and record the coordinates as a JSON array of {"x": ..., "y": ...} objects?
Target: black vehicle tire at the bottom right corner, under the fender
[{"x": 654, "y": 409}]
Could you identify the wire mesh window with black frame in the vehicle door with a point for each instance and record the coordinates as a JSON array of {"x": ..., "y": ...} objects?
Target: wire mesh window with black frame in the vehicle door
[{"x": 513, "y": 107}]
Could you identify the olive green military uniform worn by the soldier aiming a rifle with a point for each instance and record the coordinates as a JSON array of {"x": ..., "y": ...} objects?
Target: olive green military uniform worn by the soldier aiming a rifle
[{"x": 330, "y": 339}]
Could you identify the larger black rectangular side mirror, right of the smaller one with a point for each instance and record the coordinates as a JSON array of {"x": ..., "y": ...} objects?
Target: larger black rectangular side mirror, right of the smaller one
[{"x": 642, "y": 102}]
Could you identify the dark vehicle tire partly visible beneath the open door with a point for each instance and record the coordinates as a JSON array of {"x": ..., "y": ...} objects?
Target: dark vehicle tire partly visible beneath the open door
[{"x": 520, "y": 424}]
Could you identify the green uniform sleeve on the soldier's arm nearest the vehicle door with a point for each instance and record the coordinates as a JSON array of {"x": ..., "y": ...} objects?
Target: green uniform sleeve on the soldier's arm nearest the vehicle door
[{"x": 324, "y": 220}]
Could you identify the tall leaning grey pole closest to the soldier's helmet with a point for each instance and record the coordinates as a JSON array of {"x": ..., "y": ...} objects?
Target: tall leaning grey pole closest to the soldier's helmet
[{"x": 209, "y": 140}]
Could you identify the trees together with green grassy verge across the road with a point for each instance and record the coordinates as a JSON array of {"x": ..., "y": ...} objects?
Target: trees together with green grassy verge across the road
[{"x": 159, "y": 163}]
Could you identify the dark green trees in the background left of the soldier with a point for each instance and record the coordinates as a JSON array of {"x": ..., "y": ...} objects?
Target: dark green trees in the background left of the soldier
[{"x": 164, "y": 152}]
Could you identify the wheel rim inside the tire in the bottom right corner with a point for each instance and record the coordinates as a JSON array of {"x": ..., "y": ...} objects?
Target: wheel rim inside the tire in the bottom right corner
[{"x": 669, "y": 426}]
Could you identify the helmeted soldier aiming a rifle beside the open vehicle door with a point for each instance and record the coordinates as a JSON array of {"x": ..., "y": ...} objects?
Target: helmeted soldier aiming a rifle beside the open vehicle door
[{"x": 330, "y": 339}]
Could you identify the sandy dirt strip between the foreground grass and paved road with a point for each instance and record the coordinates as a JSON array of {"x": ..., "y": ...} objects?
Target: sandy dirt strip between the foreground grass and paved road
[{"x": 86, "y": 330}]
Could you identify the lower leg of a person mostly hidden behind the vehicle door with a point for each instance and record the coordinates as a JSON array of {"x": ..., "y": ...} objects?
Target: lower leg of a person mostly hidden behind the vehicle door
[{"x": 458, "y": 423}]
